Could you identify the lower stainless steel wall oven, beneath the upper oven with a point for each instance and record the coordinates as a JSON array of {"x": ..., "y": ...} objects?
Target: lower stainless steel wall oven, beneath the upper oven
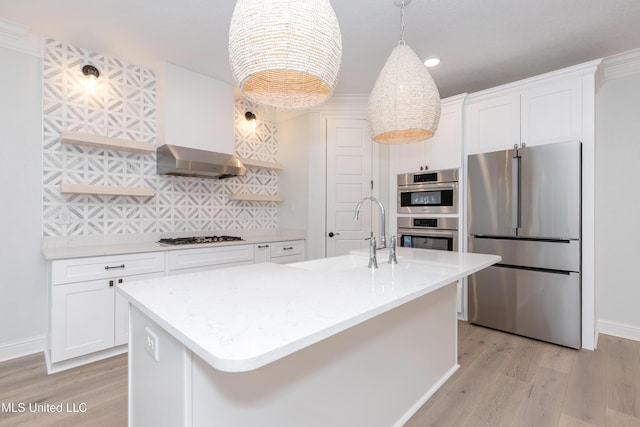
[{"x": 428, "y": 233}]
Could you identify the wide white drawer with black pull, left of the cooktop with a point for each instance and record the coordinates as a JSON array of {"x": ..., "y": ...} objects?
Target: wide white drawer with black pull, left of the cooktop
[{"x": 95, "y": 268}]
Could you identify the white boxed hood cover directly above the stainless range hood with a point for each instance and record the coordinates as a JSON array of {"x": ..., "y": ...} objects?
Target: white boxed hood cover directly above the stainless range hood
[{"x": 198, "y": 111}]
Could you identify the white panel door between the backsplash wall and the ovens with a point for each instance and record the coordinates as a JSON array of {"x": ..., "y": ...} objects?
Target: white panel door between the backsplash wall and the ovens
[{"x": 349, "y": 176}]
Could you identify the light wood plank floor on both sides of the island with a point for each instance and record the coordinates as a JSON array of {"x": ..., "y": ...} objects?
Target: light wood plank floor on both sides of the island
[{"x": 504, "y": 380}]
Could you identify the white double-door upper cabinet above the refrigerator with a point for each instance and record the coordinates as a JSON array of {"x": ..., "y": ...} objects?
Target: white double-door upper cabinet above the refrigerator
[{"x": 532, "y": 113}]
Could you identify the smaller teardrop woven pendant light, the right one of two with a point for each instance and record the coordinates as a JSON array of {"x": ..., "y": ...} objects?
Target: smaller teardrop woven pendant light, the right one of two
[{"x": 404, "y": 105}]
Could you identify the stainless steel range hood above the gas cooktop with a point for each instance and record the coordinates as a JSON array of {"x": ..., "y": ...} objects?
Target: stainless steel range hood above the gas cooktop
[{"x": 184, "y": 161}]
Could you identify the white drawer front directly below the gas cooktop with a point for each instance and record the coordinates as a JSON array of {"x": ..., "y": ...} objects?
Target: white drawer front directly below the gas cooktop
[{"x": 205, "y": 257}]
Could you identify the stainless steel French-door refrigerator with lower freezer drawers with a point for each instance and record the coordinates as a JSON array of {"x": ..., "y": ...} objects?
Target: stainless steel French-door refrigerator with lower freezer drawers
[{"x": 525, "y": 205}]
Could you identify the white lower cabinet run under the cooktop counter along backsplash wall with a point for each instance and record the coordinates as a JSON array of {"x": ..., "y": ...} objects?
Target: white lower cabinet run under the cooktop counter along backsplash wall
[{"x": 87, "y": 315}]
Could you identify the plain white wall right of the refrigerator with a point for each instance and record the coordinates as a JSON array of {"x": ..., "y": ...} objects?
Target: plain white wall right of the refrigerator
[{"x": 618, "y": 206}]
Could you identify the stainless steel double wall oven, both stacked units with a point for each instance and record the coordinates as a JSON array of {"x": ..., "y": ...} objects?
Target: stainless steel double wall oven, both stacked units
[{"x": 425, "y": 196}]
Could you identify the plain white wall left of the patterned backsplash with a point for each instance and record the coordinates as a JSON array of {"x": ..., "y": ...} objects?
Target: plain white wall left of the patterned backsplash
[{"x": 23, "y": 305}]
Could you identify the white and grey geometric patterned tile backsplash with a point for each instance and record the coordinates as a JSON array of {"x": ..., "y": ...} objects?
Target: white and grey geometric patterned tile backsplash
[{"x": 124, "y": 105}]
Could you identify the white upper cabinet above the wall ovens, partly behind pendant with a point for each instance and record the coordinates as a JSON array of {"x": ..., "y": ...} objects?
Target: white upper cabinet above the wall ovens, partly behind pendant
[{"x": 442, "y": 151}]
